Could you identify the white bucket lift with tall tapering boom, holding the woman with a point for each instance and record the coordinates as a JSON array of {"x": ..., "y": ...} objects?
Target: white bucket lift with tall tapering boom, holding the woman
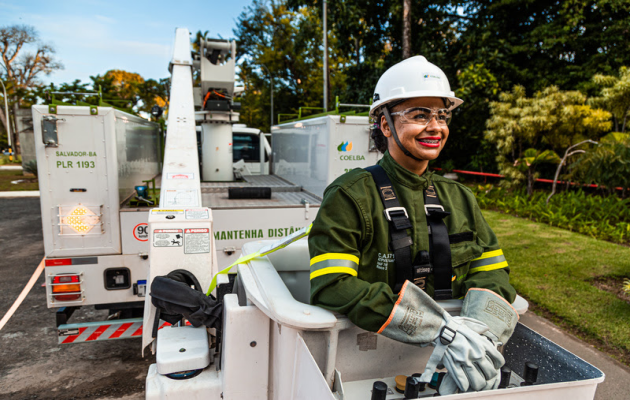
[{"x": 273, "y": 344}]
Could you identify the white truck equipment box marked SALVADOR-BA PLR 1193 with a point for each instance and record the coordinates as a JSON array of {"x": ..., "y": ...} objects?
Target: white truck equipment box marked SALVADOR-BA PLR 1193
[{"x": 89, "y": 159}]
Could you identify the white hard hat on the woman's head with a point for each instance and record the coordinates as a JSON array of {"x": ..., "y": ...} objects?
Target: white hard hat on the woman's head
[{"x": 413, "y": 77}]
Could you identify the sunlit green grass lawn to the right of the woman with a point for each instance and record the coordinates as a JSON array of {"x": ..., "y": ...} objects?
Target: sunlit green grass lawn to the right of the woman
[{"x": 554, "y": 269}]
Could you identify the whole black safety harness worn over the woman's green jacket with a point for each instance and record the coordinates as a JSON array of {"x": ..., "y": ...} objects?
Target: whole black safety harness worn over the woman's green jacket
[{"x": 437, "y": 260}]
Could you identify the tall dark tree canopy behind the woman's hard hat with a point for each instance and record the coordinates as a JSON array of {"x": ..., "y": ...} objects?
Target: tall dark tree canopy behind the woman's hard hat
[{"x": 484, "y": 47}]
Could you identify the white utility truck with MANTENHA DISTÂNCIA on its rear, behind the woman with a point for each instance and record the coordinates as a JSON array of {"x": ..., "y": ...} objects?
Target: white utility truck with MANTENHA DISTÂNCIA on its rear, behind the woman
[{"x": 101, "y": 177}]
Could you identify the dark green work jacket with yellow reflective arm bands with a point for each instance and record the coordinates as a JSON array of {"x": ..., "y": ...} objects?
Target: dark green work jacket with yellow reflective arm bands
[{"x": 352, "y": 269}]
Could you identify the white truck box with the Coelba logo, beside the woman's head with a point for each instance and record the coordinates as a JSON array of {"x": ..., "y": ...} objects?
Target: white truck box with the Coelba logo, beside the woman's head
[{"x": 312, "y": 153}]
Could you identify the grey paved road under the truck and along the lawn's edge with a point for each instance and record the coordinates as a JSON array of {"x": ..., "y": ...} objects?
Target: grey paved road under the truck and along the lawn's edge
[{"x": 33, "y": 366}]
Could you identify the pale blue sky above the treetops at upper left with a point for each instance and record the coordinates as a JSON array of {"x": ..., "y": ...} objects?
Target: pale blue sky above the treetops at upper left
[{"x": 94, "y": 36}]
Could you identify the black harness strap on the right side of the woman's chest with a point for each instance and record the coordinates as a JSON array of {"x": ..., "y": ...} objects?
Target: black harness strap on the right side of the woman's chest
[{"x": 440, "y": 249}]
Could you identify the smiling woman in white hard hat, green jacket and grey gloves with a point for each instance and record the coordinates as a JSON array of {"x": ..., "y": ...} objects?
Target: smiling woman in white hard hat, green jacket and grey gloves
[{"x": 390, "y": 239}]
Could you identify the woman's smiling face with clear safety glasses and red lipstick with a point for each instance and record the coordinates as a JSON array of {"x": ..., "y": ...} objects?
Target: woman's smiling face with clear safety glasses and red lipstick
[{"x": 423, "y": 142}]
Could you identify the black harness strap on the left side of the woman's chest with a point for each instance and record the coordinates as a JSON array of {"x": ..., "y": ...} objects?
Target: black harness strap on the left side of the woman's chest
[{"x": 399, "y": 223}]
